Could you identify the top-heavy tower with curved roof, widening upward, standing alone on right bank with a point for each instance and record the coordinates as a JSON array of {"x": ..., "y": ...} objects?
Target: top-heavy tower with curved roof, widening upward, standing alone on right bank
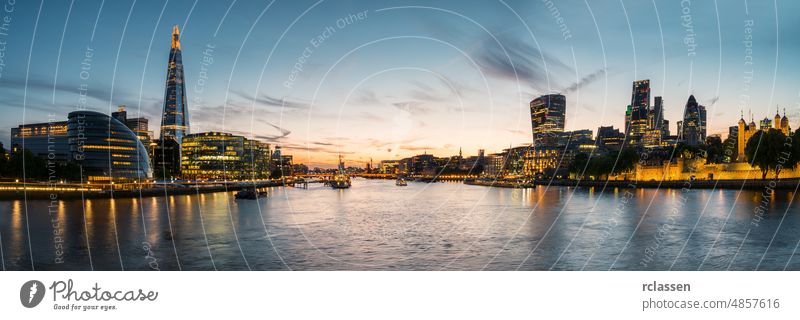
[{"x": 548, "y": 114}]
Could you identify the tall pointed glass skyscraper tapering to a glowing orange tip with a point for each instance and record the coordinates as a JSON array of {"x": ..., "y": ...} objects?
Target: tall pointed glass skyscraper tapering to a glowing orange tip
[{"x": 175, "y": 119}]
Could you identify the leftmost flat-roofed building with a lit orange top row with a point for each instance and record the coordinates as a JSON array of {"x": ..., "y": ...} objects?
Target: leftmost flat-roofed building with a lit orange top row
[{"x": 46, "y": 140}]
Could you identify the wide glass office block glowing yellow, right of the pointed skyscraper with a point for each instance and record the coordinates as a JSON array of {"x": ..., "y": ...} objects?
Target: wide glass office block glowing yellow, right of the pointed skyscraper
[{"x": 223, "y": 156}]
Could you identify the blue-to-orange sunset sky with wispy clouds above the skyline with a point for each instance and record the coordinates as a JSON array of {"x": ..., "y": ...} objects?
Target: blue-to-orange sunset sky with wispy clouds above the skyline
[{"x": 390, "y": 79}]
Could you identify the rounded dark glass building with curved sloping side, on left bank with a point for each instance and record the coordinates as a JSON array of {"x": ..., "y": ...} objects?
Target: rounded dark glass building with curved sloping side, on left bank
[{"x": 107, "y": 149}]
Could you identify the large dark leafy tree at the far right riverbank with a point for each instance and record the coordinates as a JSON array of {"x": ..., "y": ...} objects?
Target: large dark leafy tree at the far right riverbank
[{"x": 772, "y": 151}]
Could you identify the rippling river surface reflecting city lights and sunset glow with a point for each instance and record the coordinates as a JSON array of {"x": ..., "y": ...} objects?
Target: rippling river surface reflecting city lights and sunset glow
[{"x": 376, "y": 225}]
